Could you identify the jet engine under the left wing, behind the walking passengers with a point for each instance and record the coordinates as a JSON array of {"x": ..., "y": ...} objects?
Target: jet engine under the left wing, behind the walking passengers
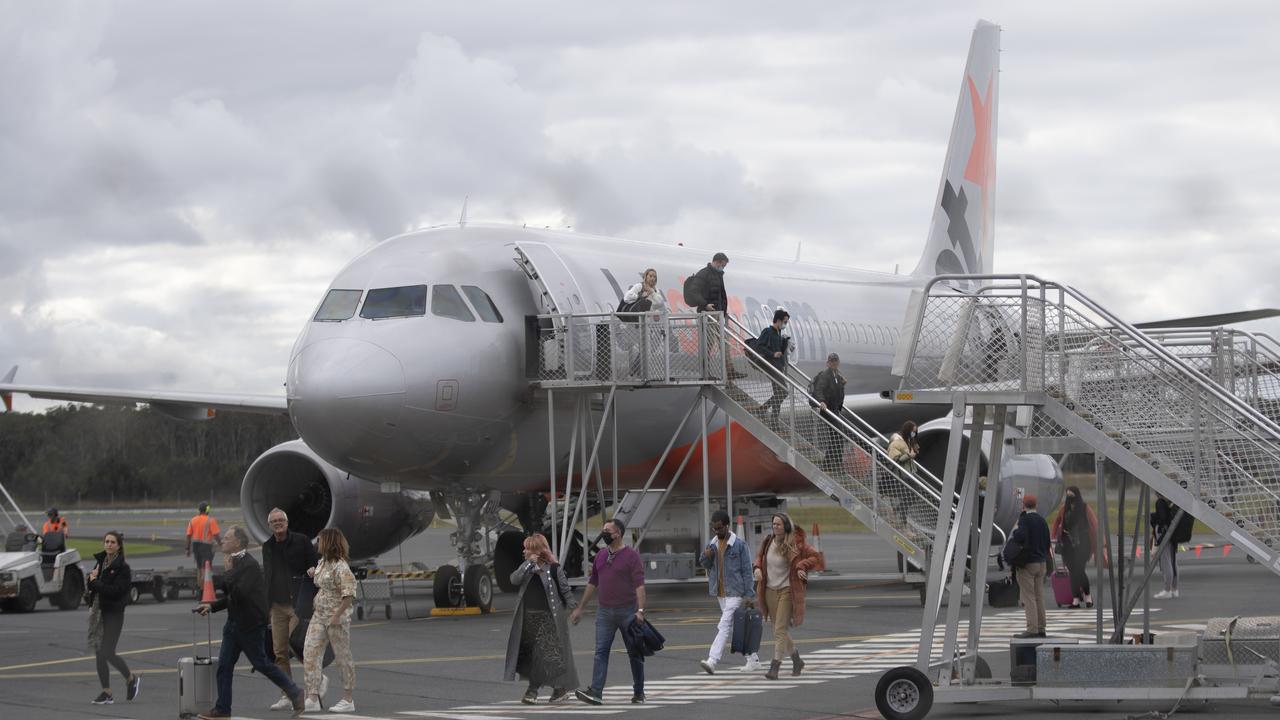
[{"x": 317, "y": 495}]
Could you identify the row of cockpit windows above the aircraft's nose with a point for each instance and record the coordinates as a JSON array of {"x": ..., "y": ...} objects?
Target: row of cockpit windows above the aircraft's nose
[{"x": 410, "y": 302}]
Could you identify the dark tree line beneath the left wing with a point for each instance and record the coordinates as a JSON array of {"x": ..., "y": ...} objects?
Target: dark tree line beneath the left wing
[{"x": 79, "y": 454}]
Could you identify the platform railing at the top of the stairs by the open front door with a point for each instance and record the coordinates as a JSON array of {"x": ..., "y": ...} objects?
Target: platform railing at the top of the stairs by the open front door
[{"x": 637, "y": 349}]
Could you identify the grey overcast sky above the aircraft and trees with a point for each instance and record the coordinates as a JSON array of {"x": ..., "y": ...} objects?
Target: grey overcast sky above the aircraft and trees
[{"x": 180, "y": 183}]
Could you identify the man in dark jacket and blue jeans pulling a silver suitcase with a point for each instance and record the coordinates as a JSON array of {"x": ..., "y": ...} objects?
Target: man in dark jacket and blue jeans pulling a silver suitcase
[{"x": 245, "y": 631}]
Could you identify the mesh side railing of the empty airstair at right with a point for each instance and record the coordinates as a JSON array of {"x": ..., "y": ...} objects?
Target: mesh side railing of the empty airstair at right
[{"x": 1021, "y": 334}]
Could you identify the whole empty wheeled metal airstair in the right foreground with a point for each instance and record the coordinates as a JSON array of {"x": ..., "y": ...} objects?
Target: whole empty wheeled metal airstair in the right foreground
[{"x": 1187, "y": 413}]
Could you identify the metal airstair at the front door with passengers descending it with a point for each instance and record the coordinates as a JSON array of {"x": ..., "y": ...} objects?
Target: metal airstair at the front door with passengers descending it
[{"x": 842, "y": 455}]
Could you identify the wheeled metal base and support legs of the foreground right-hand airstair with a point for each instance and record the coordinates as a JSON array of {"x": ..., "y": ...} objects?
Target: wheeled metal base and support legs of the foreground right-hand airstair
[{"x": 1236, "y": 659}]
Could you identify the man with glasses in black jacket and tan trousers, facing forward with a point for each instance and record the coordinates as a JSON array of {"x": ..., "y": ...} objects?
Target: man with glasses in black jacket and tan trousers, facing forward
[{"x": 286, "y": 559}]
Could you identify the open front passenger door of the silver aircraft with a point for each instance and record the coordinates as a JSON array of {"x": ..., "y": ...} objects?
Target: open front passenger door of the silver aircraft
[{"x": 557, "y": 293}]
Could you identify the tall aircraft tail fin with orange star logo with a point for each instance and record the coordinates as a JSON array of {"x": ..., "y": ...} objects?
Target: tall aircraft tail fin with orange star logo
[{"x": 962, "y": 235}]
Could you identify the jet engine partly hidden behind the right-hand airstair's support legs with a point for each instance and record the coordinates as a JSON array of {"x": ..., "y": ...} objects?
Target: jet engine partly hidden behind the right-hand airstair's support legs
[{"x": 1036, "y": 475}]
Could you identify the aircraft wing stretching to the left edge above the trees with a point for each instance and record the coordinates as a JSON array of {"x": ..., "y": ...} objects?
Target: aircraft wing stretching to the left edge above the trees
[{"x": 182, "y": 405}]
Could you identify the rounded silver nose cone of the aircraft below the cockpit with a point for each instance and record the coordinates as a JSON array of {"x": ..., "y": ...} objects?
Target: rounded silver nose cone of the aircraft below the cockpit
[{"x": 346, "y": 397}]
